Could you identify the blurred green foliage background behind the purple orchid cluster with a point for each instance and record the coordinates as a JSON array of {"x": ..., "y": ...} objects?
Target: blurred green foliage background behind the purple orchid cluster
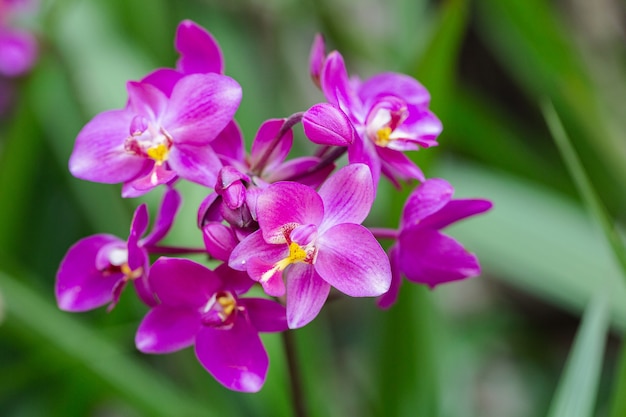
[{"x": 496, "y": 345}]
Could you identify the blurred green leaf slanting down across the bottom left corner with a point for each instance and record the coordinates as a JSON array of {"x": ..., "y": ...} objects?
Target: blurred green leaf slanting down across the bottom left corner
[{"x": 136, "y": 383}]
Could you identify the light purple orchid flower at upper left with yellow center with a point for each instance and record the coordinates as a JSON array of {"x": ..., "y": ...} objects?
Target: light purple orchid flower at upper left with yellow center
[{"x": 157, "y": 138}]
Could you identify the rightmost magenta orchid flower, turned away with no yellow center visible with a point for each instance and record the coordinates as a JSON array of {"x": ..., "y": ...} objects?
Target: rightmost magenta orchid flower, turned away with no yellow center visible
[{"x": 422, "y": 253}]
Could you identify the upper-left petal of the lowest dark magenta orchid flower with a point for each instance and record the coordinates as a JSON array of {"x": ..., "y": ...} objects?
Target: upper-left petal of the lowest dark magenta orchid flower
[{"x": 183, "y": 283}]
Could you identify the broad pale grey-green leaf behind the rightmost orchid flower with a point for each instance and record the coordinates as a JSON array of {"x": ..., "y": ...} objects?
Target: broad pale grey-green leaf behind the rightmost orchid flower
[{"x": 536, "y": 240}]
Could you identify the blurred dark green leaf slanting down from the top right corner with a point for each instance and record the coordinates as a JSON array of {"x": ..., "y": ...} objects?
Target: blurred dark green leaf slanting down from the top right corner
[{"x": 536, "y": 49}]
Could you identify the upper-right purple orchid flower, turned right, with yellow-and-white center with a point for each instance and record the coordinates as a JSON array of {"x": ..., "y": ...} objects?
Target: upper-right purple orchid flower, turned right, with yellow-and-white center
[{"x": 389, "y": 112}]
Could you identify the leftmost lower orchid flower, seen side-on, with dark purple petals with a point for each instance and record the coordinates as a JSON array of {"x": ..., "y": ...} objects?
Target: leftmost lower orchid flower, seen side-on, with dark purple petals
[{"x": 97, "y": 268}]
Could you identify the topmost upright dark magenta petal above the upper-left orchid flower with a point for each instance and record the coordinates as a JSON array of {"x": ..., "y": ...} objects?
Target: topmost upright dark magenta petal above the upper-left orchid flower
[{"x": 199, "y": 51}]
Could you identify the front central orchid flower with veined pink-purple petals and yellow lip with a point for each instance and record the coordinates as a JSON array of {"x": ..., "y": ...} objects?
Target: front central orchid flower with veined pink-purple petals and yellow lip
[{"x": 314, "y": 240}]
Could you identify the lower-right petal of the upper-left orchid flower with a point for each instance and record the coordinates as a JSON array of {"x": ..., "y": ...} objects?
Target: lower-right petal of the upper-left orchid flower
[{"x": 198, "y": 164}]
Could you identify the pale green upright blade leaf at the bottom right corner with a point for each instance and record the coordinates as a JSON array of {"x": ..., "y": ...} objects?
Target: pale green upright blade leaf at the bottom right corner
[{"x": 576, "y": 393}]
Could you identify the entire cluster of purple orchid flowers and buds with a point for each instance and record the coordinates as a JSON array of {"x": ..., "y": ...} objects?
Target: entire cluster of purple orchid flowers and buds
[{"x": 293, "y": 227}]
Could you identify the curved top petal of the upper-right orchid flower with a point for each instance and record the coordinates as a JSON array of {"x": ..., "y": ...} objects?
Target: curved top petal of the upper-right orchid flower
[{"x": 400, "y": 85}]
